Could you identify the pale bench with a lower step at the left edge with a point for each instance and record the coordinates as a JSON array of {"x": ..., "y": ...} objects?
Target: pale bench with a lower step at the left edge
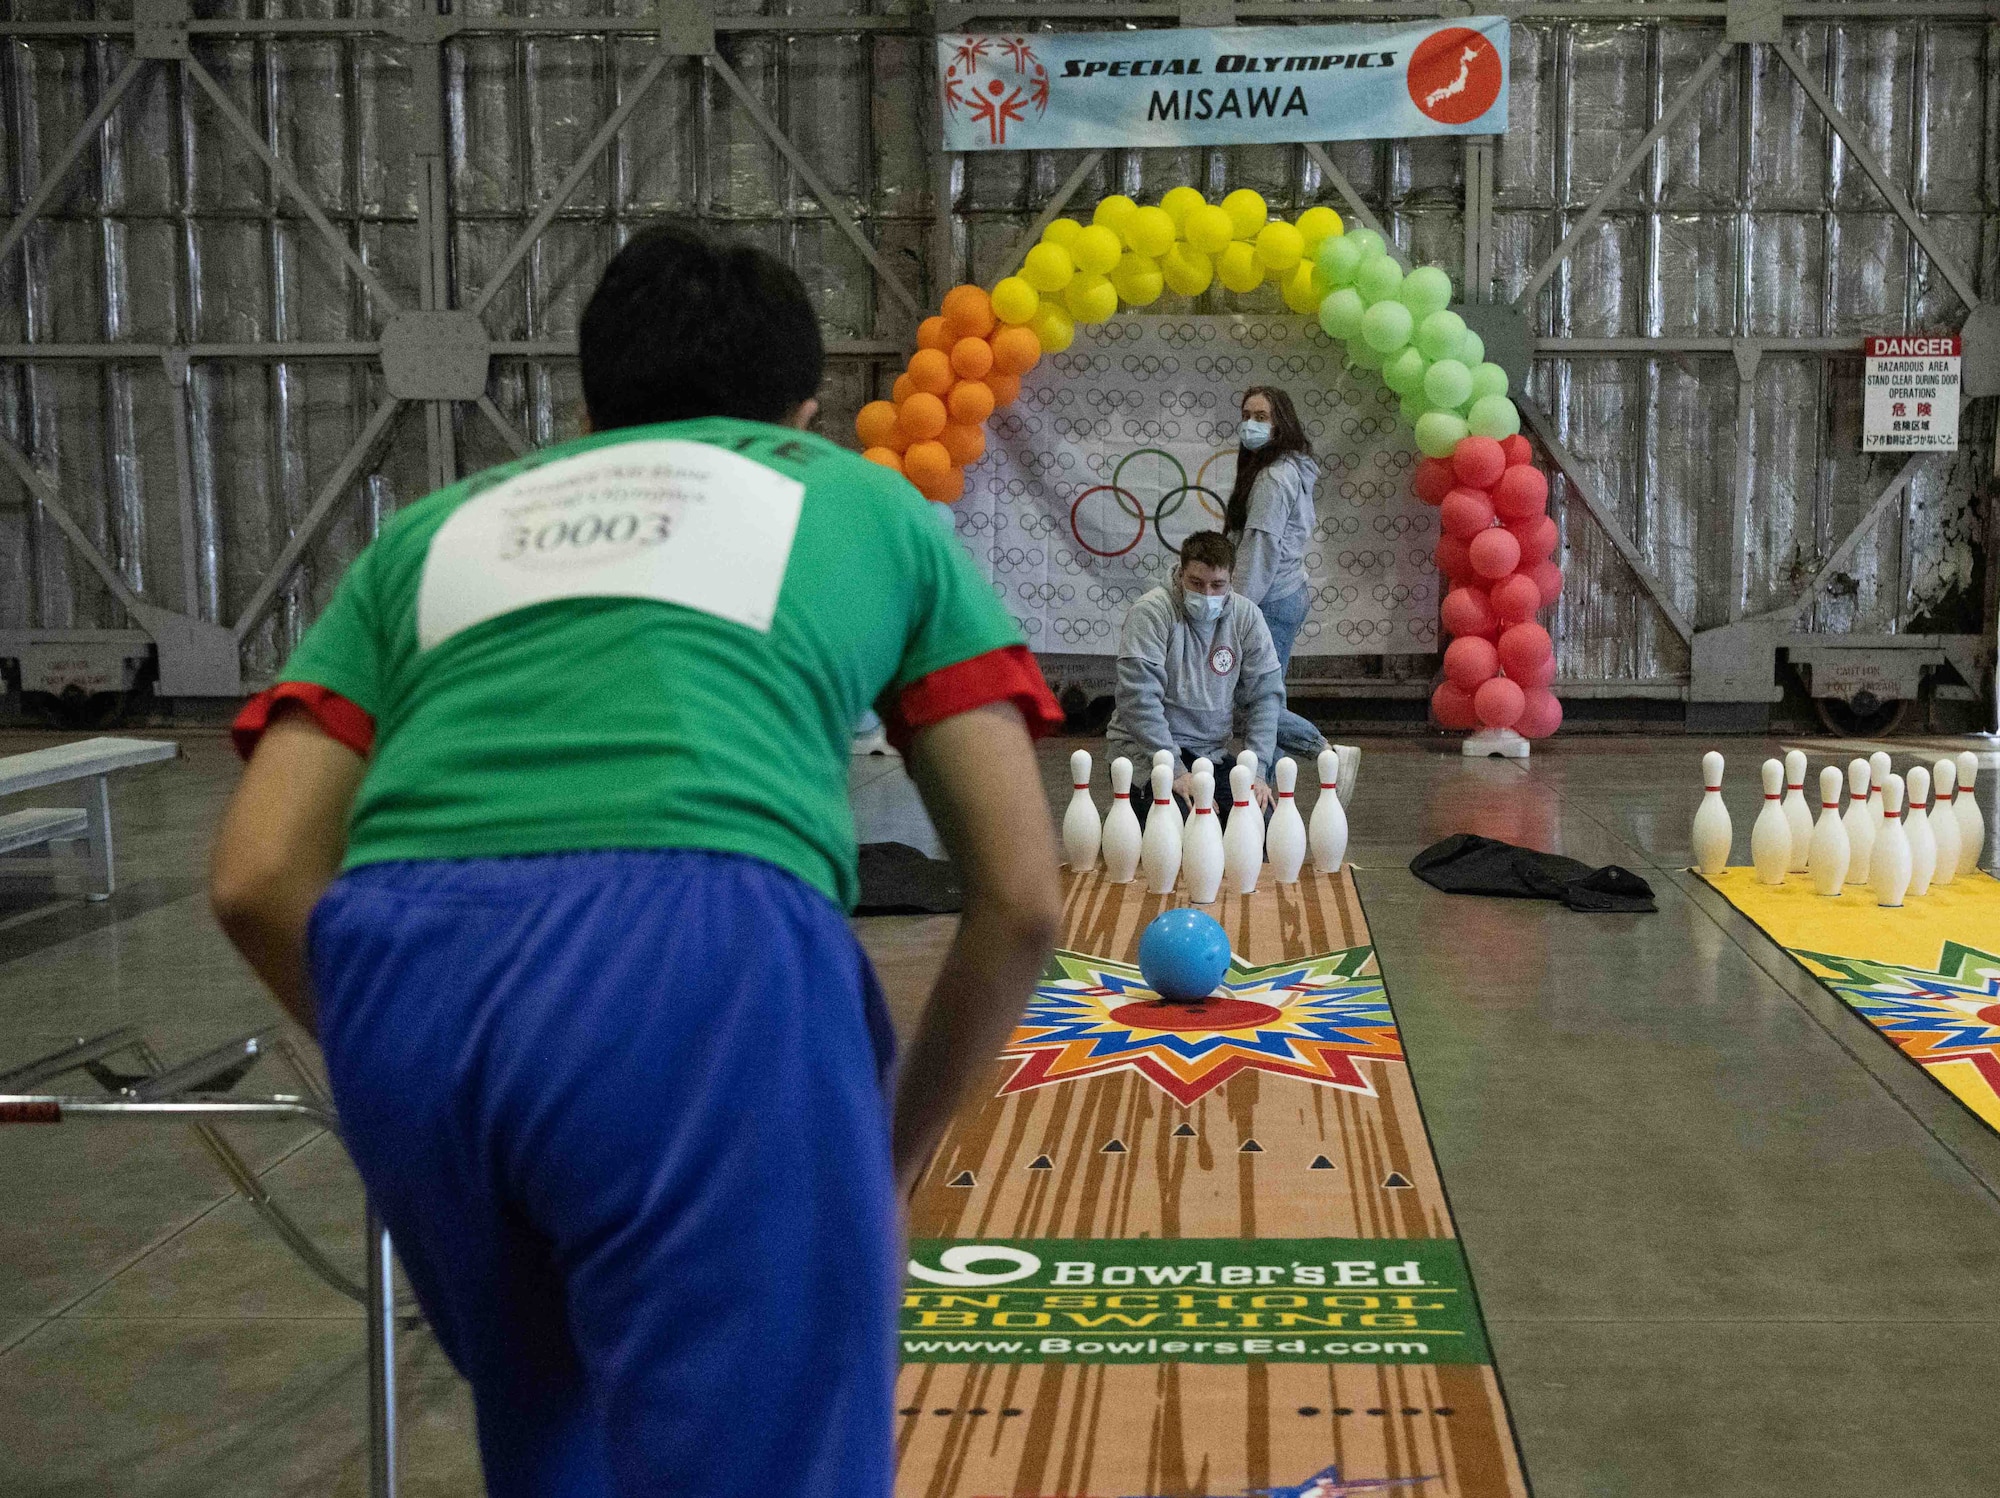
[{"x": 91, "y": 761}]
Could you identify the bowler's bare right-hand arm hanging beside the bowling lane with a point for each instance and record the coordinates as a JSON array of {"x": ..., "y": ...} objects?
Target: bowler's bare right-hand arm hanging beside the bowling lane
[{"x": 981, "y": 785}]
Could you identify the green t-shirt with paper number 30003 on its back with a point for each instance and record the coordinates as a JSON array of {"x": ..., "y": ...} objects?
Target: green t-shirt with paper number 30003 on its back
[{"x": 651, "y": 639}]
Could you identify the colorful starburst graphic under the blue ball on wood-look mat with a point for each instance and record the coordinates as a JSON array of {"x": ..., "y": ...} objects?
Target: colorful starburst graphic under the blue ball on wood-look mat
[{"x": 1313, "y": 1019}]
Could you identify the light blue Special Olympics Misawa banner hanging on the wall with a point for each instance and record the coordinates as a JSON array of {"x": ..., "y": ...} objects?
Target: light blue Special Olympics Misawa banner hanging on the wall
[{"x": 1231, "y": 87}]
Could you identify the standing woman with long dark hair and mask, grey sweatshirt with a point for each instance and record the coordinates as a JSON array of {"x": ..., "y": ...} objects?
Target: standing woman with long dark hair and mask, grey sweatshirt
[{"x": 1271, "y": 521}]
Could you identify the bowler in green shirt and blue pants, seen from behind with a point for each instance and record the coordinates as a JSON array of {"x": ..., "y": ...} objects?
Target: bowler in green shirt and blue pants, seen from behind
[{"x": 545, "y": 833}]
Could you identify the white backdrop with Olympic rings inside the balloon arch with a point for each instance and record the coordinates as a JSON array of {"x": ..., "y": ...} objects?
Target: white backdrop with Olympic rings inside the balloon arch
[{"x": 1125, "y": 445}]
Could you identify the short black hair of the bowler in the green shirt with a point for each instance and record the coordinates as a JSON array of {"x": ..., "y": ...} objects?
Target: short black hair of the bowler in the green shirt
[{"x": 687, "y": 325}]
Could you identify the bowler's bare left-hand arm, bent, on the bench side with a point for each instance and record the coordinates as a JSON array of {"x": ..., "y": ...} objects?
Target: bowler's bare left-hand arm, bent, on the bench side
[{"x": 281, "y": 845}]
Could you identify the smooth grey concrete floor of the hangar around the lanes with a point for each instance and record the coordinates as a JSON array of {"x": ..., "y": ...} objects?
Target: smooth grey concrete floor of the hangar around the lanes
[{"x": 1727, "y": 1241}]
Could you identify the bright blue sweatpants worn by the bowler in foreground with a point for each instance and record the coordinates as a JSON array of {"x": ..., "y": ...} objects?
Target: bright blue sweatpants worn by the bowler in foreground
[{"x": 625, "y": 1117}]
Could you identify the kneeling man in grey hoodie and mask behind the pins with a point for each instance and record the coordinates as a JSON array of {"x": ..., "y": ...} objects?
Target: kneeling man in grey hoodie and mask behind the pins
[{"x": 1191, "y": 659}]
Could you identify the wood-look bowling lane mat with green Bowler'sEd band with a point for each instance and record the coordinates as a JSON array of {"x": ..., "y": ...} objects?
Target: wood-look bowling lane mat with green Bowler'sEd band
[{"x": 1185, "y": 1253}]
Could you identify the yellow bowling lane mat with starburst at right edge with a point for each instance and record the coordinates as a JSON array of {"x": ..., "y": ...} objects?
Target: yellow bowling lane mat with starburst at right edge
[{"x": 1927, "y": 975}]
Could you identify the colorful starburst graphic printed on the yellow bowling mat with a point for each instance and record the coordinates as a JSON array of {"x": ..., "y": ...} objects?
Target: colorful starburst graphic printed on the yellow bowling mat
[{"x": 1951, "y": 1015}]
